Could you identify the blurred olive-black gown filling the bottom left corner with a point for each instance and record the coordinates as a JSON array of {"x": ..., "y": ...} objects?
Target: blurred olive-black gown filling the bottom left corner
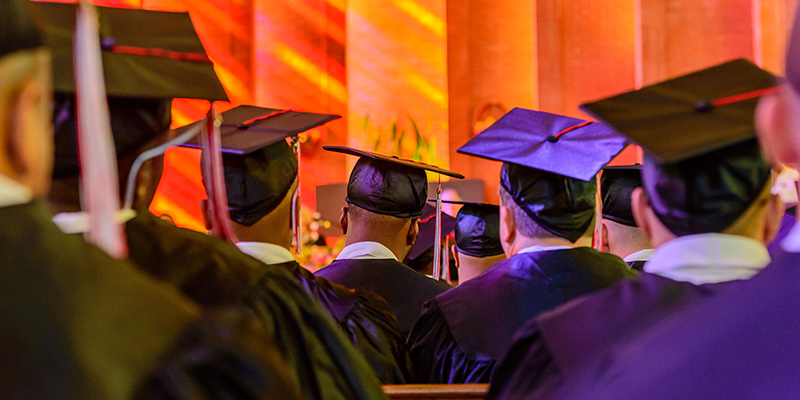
[{"x": 77, "y": 324}]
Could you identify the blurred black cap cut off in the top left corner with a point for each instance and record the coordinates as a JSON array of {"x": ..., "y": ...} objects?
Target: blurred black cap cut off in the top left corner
[{"x": 17, "y": 31}]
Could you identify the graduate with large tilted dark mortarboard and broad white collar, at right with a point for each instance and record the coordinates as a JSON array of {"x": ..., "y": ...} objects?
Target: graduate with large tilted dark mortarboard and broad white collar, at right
[{"x": 707, "y": 210}]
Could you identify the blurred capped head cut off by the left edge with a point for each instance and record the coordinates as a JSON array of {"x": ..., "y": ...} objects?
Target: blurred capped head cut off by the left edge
[{"x": 25, "y": 91}]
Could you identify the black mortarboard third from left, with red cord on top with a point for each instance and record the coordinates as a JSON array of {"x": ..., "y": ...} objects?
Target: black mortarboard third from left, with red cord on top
[{"x": 260, "y": 166}]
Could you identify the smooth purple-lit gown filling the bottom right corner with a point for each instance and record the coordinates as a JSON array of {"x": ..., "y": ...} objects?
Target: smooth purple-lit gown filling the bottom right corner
[{"x": 739, "y": 344}]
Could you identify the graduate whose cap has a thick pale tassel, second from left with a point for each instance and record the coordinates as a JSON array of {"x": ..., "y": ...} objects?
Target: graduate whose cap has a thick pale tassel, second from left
[{"x": 319, "y": 360}]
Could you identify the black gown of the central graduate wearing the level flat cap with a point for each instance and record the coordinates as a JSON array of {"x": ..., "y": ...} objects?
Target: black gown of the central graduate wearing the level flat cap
[{"x": 403, "y": 288}]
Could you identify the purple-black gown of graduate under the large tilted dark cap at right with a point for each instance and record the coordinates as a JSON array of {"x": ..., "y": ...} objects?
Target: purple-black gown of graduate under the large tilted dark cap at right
[{"x": 557, "y": 343}]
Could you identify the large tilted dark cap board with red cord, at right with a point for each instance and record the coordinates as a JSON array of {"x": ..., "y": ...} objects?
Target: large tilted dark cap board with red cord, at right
[{"x": 690, "y": 115}]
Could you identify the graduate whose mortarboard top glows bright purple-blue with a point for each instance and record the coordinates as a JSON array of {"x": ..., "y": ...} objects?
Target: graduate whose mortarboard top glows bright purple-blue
[{"x": 547, "y": 211}]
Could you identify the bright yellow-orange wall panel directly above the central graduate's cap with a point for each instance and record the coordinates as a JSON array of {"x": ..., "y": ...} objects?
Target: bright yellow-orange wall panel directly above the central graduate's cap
[{"x": 397, "y": 78}]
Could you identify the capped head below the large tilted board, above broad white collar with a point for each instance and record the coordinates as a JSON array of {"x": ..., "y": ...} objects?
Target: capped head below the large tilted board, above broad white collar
[{"x": 723, "y": 191}]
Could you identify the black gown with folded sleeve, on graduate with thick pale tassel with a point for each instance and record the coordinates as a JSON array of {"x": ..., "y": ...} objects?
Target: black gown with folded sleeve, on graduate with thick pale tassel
[{"x": 215, "y": 273}]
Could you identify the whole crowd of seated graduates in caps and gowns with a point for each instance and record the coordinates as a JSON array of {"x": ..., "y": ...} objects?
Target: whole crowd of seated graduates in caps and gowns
[{"x": 675, "y": 278}]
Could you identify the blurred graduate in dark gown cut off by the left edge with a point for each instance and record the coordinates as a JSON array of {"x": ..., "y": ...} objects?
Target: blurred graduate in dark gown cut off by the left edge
[{"x": 76, "y": 323}]
